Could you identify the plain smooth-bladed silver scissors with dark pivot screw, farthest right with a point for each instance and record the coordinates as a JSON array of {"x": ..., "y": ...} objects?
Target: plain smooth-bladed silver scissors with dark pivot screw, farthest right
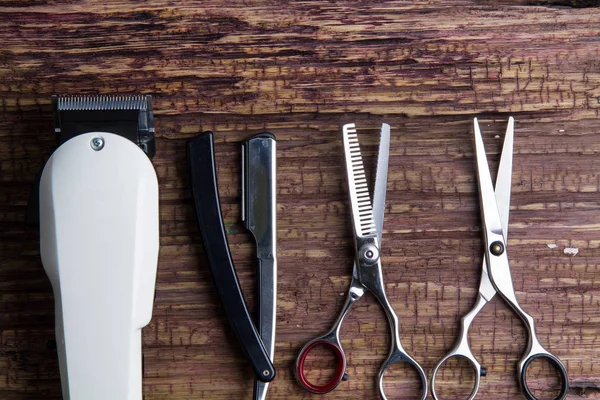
[{"x": 495, "y": 273}]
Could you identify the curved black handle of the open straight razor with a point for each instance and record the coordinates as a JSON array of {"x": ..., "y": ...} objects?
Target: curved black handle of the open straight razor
[{"x": 203, "y": 175}]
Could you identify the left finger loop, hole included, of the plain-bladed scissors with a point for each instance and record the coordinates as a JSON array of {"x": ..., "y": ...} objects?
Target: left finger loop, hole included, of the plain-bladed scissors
[{"x": 455, "y": 379}]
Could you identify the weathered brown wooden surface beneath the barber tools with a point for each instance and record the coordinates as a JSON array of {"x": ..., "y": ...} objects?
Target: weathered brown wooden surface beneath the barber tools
[{"x": 300, "y": 70}]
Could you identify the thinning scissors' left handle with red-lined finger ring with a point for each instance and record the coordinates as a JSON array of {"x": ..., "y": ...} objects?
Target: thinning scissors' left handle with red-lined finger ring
[{"x": 332, "y": 341}]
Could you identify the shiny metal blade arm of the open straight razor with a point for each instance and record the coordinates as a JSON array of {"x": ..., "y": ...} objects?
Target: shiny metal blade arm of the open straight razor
[{"x": 258, "y": 213}]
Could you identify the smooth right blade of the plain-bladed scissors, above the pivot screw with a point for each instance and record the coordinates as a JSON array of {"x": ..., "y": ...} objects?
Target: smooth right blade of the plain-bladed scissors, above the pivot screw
[{"x": 504, "y": 177}]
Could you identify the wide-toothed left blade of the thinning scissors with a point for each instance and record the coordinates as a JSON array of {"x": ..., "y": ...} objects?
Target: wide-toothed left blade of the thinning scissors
[{"x": 360, "y": 200}]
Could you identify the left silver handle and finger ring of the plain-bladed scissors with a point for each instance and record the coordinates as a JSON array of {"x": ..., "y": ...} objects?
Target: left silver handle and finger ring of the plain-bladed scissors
[{"x": 462, "y": 349}]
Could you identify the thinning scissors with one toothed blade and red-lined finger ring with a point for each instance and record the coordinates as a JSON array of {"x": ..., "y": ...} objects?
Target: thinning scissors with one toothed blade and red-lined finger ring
[{"x": 367, "y": 274}]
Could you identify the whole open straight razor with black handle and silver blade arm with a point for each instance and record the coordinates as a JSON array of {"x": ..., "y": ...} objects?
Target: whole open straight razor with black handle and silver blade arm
[{"x": 259, "y": 218}]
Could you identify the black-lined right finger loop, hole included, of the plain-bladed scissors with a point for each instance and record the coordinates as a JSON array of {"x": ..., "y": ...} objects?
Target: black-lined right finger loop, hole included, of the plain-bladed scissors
[{"x": 544, "y": 378}]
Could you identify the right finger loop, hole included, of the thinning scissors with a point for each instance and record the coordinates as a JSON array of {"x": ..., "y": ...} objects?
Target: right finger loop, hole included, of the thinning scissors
[{"x": 402, "y": 381}]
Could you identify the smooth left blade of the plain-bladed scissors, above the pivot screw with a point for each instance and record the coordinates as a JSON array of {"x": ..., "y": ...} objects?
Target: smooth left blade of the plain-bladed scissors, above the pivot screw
[{"x": 489, "y": 206}]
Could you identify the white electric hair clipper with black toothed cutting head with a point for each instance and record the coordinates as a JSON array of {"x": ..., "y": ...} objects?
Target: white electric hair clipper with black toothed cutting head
[{"x": 98, "y": 214}]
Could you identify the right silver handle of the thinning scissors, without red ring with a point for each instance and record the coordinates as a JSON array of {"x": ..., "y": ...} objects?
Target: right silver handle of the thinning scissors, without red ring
[{"x": 397, "y": 353}]
